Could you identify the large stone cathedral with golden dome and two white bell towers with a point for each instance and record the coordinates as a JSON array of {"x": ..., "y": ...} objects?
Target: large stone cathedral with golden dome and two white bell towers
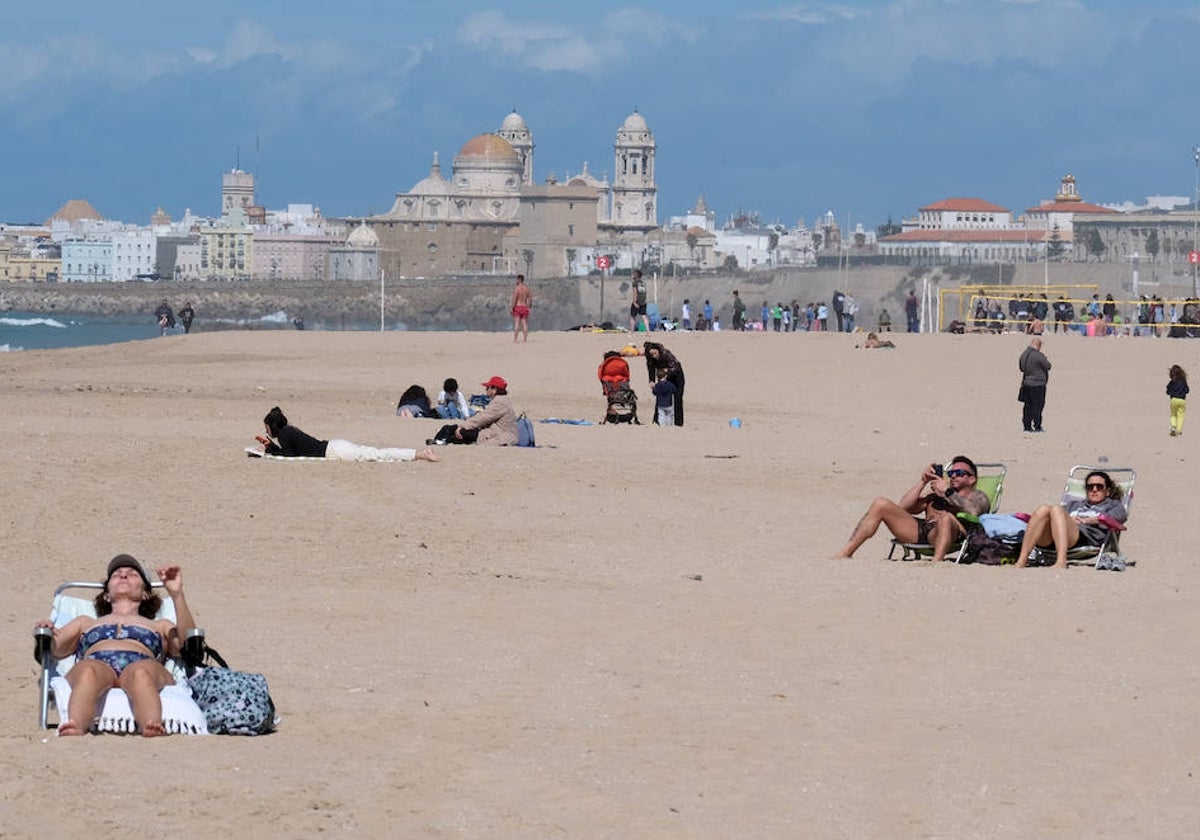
[{"x": 490, "y": 217}]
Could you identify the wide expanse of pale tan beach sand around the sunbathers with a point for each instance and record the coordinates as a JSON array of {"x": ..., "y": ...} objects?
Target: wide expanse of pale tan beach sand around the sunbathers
[{"x": 629, "y": 632}]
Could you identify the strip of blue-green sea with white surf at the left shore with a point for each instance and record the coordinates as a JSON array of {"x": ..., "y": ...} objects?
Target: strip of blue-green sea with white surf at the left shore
[{"x": 40, "y": 332}]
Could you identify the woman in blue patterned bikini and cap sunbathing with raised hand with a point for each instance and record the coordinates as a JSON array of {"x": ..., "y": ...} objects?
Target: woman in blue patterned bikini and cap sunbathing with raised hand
[{"x": 124, "y": 647}]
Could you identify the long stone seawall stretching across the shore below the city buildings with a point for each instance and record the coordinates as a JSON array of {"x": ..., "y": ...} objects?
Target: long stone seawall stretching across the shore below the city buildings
[{"x": 477, "y": 303}]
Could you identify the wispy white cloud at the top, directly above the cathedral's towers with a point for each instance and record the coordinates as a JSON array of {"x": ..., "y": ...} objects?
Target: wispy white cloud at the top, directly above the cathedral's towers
[{"x": 566, "y": 47}]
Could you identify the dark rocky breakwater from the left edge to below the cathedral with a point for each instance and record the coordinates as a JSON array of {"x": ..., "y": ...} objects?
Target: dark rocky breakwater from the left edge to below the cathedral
[{"x": 434, "y": 304}]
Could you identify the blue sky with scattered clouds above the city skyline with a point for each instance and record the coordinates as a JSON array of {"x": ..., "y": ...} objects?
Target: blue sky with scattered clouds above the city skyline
[{"x": 866, "y": 109}]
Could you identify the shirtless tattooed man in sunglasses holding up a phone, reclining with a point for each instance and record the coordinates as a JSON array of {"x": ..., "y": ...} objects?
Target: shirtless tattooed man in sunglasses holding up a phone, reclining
[{"x": 939, "y": 497}]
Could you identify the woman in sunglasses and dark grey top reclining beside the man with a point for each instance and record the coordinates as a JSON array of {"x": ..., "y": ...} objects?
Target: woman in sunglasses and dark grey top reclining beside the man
[{"x": 1079, "y": 523}]
